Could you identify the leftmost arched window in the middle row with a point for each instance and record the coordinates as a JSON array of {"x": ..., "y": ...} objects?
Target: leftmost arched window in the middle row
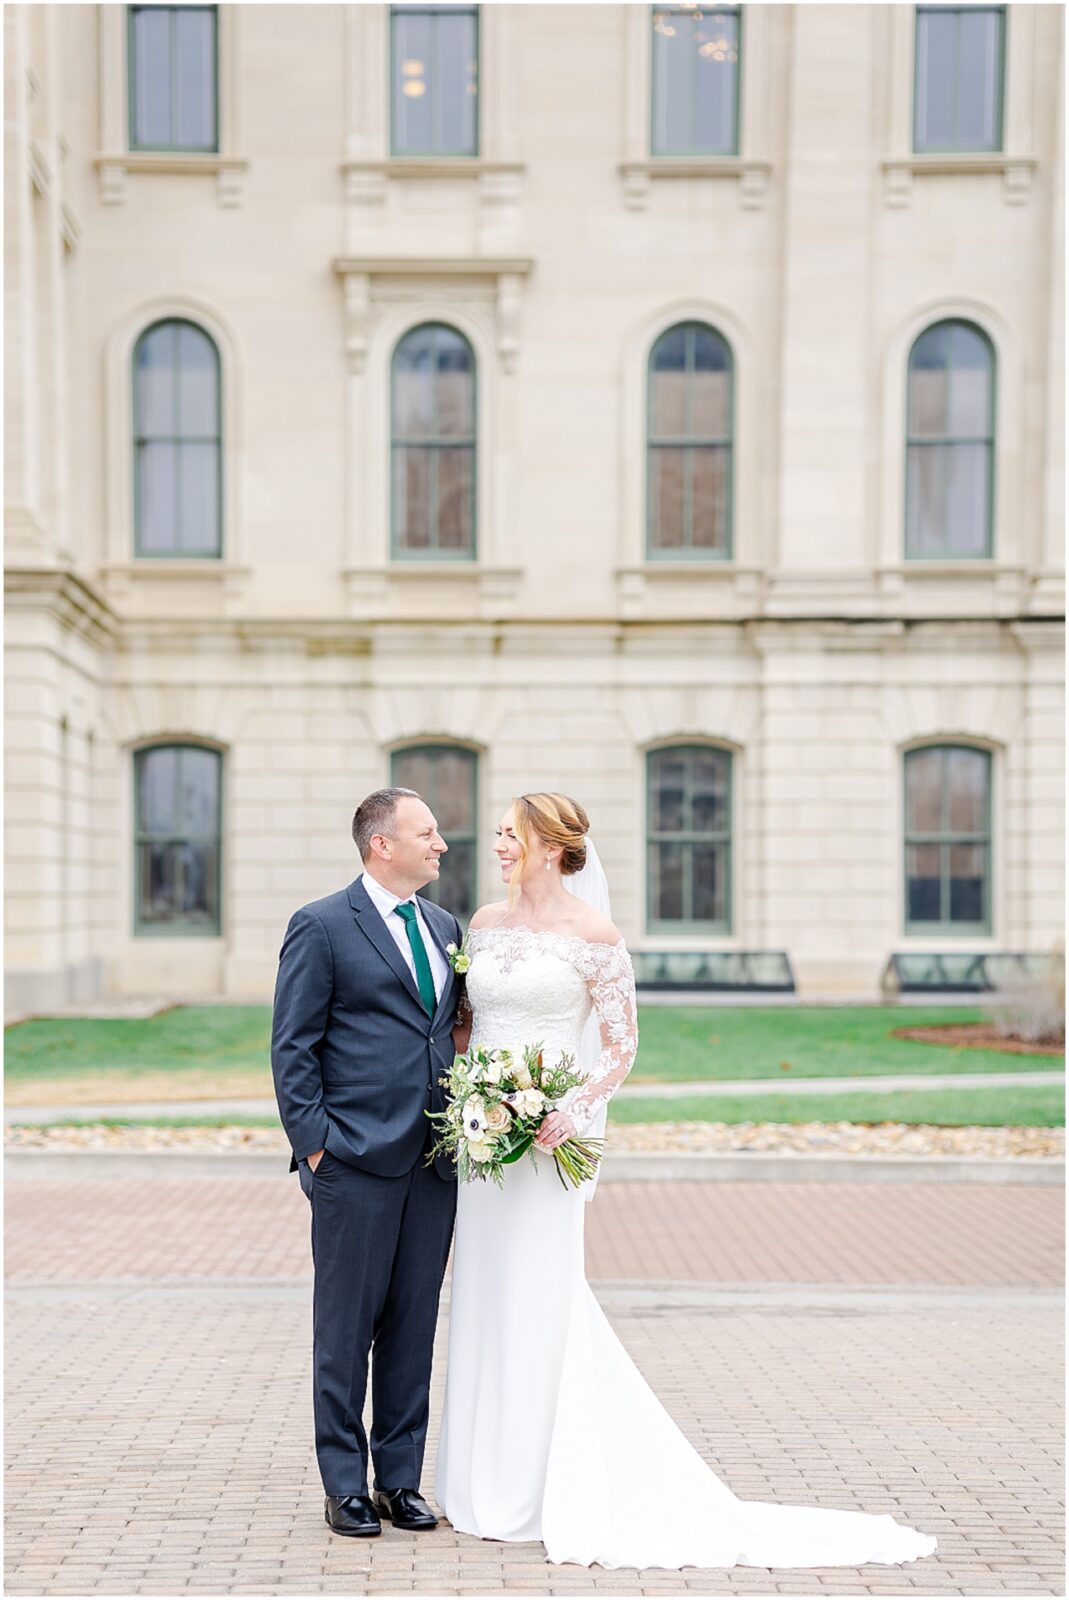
[{"x": 178, "y": 455}]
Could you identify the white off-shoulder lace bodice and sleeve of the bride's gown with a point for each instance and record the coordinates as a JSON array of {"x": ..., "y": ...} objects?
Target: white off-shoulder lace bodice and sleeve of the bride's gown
[{"x": 529, "y": 988}]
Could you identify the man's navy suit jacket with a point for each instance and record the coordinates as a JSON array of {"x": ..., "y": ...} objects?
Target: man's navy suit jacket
[{"x": 354, "y": 1055}]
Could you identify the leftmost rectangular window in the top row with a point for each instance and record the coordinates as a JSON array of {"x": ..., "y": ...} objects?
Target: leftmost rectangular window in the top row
[{"x": 174, "y": 78}]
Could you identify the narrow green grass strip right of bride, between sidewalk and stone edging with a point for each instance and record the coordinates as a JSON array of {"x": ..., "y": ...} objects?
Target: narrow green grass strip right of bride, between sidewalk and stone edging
[{"x": 1001, "y": 1108}]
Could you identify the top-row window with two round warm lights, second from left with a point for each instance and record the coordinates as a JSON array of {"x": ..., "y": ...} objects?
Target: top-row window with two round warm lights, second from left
[{"x": 434, "y": 81}]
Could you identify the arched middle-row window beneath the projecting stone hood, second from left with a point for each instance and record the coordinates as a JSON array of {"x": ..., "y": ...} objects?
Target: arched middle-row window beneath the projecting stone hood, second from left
[{"x": 434, "y": 446}]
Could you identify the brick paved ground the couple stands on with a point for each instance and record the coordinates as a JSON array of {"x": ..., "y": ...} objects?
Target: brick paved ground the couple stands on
[{"x": 159, "y": 1422}]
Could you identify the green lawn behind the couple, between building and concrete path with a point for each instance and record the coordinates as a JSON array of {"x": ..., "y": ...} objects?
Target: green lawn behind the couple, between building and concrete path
[{"x": 222, "y": 1052}]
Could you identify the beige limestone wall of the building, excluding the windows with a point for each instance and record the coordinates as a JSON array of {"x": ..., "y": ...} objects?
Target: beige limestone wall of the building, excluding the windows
[{"x": 563, "y": 655}]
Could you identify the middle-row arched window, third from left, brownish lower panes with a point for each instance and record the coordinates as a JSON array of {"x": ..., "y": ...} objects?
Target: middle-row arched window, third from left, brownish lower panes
[{"x": 689, "y": 476}]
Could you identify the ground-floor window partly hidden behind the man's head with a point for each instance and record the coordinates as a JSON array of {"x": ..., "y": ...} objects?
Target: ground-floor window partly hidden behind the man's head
[{"x": 449, "y": 782}]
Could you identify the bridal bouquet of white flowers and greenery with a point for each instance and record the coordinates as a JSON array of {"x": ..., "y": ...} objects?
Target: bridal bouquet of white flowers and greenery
[{"x": 497, "y": 1106}]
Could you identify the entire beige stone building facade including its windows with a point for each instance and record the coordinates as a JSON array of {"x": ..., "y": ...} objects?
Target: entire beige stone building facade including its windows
[{"x": 675, "y": 422}]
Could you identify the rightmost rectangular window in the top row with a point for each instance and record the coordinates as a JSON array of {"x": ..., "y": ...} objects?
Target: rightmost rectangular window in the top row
[{"x": 959, "y": 79}]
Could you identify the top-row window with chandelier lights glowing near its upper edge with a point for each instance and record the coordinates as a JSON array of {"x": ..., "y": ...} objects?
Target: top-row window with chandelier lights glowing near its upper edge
[{"x": 695, "y": 81}]
